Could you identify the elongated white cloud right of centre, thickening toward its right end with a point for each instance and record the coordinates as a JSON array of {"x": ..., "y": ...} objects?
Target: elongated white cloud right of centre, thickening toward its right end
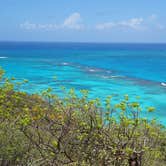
[{"x": 134, "y": 23}]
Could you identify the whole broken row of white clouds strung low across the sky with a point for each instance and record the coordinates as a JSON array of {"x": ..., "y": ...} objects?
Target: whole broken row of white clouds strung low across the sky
[{"x": 74, "y": 22}]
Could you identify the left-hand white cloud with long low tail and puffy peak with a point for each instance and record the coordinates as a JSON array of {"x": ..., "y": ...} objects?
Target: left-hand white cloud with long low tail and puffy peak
[{"x": 72, "y": 22}]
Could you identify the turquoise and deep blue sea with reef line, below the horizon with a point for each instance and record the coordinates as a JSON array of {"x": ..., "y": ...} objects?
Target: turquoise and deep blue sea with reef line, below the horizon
[{"x": 103, "y": 69}]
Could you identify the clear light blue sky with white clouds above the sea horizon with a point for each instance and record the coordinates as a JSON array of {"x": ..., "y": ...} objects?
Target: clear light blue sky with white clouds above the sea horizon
[{"x": 83, "y": 20}]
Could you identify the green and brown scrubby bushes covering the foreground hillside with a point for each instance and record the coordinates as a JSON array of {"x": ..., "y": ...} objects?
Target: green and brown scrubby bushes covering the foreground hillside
[{"x": 50, "y": 130}]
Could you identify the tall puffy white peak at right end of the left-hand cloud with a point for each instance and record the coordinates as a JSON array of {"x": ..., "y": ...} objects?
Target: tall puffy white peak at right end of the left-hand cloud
[{"x": 73, "y": 21}]
